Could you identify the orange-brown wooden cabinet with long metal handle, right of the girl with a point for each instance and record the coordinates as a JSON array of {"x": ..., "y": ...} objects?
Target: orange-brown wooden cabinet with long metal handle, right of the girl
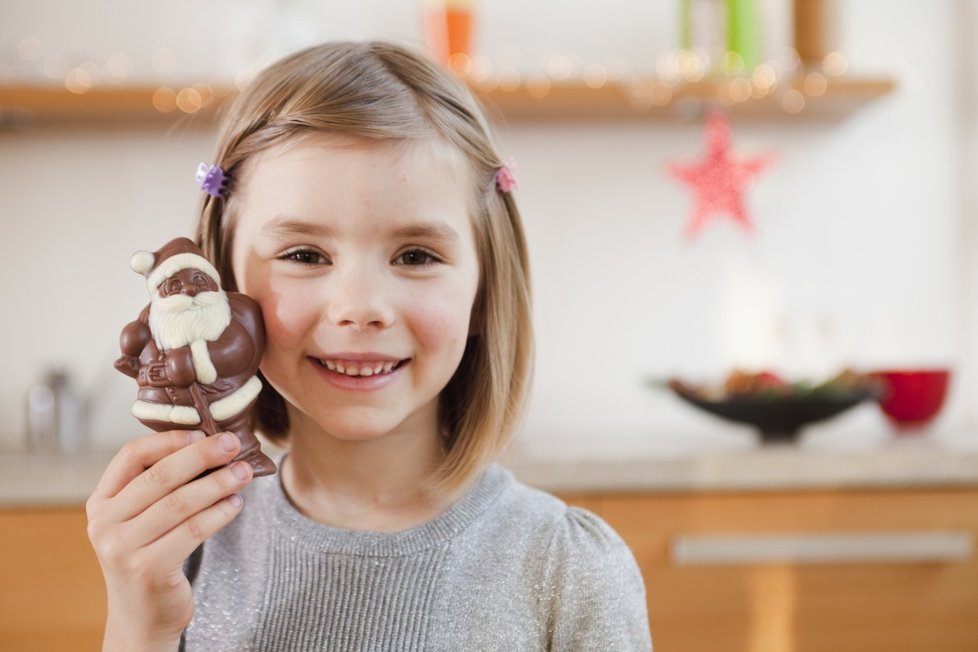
[{"x": 858, "y": 604}]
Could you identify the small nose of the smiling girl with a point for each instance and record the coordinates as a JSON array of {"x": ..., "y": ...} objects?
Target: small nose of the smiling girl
[{"x": 355, "y": 300}]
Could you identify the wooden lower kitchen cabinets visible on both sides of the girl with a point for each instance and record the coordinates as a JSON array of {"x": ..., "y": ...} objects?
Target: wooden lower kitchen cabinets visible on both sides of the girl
[{"x": 52, "y": 597}]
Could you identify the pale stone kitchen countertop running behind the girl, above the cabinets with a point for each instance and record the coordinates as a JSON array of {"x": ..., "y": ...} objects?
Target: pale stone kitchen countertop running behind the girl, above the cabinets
[{"x": 944, "y": 461}]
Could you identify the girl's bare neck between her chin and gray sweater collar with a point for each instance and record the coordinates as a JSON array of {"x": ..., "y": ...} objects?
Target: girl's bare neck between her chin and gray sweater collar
[{"x": 373, "y": 485}]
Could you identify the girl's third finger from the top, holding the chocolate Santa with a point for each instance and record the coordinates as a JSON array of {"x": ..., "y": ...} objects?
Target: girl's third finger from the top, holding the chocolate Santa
[{"x": 186, "y": 502}]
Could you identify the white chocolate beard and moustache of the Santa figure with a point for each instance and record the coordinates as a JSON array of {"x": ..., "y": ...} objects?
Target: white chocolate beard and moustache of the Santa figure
[{"x": 179, "y": 320}]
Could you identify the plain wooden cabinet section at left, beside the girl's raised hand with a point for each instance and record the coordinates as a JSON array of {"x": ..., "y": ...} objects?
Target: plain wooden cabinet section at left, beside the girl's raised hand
[{"x": 51, "y": 592}]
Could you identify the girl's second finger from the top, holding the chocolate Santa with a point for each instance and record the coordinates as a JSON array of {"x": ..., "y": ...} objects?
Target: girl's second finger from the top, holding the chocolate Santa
[{"x": 173, "y": 471}]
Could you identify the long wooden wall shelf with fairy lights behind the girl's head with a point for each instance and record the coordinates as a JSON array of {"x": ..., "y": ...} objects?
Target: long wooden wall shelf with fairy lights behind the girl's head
[{"x": 648, "y": 99}]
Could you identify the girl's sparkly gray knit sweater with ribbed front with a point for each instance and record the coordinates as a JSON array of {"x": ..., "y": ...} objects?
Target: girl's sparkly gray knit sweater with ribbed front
[{"x": 507, "y": 568}]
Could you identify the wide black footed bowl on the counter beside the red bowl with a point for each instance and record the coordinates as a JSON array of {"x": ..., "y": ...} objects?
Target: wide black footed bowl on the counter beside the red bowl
[{"x": 778, "y": 418}]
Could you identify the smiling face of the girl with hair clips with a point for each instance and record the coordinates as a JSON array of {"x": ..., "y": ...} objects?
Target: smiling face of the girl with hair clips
[{"x": 363, "y": 260}]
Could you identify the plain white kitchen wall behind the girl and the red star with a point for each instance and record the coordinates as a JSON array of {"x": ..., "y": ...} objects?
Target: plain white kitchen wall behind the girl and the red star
[{"x": 861, "y": 255}]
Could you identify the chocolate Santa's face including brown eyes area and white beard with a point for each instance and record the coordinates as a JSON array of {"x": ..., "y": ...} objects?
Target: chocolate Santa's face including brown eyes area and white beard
[{"x": 189, "y": 306}]
